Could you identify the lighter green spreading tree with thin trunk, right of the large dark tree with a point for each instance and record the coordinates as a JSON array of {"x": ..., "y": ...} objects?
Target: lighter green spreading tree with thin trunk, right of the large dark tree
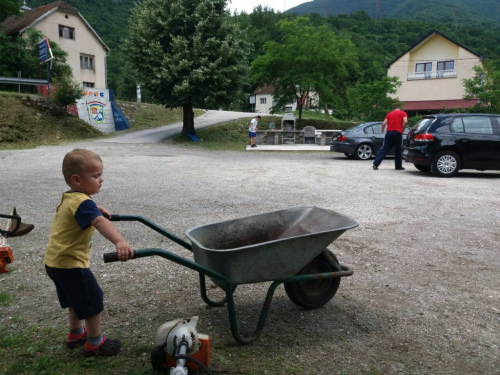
[{"x": 306, "y": 59}]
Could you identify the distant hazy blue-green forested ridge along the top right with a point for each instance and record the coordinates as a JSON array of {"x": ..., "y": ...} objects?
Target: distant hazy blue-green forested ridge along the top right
[{"x": 452, "y": 11}]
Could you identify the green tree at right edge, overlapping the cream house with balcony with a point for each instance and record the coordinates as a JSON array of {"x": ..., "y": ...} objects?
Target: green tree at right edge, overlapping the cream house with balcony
[{"x": 485, "y": 86}]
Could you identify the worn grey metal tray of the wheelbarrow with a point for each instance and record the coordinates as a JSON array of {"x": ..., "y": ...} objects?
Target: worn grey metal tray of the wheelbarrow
[{"x": 269, "y": 246}]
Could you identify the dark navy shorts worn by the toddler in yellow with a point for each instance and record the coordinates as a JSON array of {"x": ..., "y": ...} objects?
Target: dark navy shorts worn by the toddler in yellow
[{"x": 77, "y": 288}]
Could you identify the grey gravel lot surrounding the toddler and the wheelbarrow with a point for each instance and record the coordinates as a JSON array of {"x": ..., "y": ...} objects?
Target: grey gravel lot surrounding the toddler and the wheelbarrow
[{"x": 424, "y": 298}]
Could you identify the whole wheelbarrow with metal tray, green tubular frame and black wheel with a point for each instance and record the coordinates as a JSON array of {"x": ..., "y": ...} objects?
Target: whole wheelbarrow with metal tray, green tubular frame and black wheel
[{"x": 286, "y": 247}]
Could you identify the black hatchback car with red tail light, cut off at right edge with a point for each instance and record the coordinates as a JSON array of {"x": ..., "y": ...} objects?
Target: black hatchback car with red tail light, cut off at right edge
[{"x": 447, "y": 143}]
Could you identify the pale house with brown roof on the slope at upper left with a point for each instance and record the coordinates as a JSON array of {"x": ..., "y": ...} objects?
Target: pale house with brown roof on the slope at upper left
[{"x": 65, "y": 25}]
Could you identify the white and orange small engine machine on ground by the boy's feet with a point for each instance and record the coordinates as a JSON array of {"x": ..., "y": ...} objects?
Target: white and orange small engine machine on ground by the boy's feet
[{"x": 180, "y": 347}]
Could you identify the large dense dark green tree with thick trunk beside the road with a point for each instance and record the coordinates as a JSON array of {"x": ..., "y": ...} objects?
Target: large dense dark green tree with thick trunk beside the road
[{"x": 187, "y": 53}]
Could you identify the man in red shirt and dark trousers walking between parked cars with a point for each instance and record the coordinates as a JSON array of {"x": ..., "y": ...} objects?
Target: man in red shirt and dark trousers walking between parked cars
[{"x": 396, "y": 122}]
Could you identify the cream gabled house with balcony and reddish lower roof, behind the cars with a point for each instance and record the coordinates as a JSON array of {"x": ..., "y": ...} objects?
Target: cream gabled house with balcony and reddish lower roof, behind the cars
[{"x": 432, "y": 73}]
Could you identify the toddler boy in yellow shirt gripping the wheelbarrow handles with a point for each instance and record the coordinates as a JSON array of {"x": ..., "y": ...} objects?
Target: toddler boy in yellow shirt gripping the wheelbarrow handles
[{"x": 68, "y": 252}]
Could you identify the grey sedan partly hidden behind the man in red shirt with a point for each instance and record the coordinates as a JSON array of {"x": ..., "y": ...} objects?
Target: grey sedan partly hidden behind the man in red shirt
[{"x": 361, "y": 142}]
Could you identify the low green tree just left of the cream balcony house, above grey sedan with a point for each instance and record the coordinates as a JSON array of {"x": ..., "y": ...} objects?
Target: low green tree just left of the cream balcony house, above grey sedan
[{"x": 371, "y": 101}]
